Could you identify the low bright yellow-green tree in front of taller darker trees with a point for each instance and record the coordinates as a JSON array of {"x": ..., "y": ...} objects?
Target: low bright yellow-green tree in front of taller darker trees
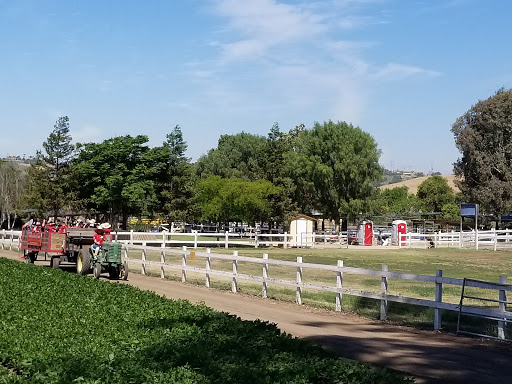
[{"x": 223, "y": 200}]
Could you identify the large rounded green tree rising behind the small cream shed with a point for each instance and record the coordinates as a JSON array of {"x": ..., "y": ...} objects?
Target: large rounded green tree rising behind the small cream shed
[{"x": 335, "y": 166}]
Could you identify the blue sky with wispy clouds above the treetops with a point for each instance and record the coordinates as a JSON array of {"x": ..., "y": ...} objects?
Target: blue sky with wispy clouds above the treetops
[{"x": 402, "y": 70}]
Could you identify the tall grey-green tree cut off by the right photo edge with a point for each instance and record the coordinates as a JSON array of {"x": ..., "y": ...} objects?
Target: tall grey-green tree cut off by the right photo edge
[{"x": 483, "y": 135}]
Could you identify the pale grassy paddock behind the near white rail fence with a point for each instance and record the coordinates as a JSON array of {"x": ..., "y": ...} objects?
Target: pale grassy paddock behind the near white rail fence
[{"x": 481, "y": 265}]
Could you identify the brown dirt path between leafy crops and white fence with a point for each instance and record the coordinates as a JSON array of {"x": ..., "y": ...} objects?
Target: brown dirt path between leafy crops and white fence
[{"x": 430, "y": 356}]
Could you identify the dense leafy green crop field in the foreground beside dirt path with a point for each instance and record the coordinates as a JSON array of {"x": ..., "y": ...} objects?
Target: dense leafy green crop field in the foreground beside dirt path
[{"x": 57, "y": 327}]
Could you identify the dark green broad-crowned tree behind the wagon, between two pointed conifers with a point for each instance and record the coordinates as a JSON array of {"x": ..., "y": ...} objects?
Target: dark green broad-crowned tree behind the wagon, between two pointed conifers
[{"x": 113, "y": 177}]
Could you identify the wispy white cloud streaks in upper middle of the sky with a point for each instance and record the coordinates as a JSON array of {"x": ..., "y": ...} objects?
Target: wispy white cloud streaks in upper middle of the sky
[{"x": 305, "y": 52}]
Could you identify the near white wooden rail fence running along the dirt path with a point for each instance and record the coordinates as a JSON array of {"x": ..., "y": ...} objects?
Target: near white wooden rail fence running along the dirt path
[{"x": 339, "y": 289}]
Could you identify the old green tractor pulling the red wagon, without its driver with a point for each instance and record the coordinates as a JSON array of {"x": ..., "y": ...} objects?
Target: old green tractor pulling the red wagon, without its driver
[{"x": 108, "y": 259}]
